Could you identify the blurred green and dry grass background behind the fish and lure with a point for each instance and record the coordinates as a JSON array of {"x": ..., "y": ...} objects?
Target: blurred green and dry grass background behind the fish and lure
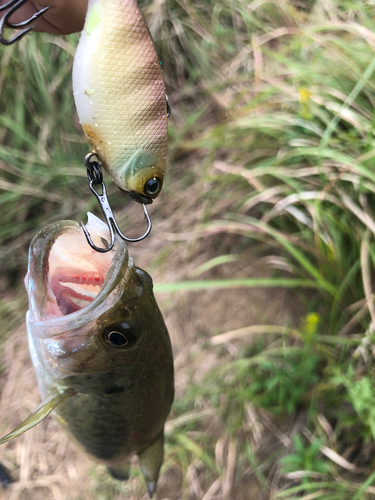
[{"x": 262, "y": 251}]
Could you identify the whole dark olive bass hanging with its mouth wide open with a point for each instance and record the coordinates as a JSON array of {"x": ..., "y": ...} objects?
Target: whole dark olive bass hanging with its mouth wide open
[{"x": 100, "y": 348}]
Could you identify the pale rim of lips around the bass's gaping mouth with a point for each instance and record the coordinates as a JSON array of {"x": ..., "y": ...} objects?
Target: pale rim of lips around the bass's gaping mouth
[{"x": 108, "y": 296}]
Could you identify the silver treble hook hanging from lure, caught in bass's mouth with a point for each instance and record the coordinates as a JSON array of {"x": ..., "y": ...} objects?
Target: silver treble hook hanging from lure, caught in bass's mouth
[{"x": 95, "y": 176}]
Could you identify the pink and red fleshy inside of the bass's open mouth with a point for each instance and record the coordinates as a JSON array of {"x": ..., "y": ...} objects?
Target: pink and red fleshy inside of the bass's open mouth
[{"x": 76, "y": 272}]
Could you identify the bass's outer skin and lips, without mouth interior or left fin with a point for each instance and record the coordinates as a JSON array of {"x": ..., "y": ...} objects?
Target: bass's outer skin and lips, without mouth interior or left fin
[{"x": 120, "y": 396}]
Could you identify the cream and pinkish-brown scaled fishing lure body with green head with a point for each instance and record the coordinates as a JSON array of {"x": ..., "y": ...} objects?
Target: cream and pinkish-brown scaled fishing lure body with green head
[{"x": 120, "y": 96}]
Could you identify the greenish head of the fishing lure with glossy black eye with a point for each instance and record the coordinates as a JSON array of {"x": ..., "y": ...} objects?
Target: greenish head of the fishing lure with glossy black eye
[{"x": 142, "y": 175}]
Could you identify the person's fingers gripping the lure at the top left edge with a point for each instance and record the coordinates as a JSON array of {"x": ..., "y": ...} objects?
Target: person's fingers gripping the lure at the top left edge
[{"x": 63, "y": 16}]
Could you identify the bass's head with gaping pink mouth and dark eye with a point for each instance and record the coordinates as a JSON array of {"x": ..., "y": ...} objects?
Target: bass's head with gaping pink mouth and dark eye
[{"x": 93, "y": 321}]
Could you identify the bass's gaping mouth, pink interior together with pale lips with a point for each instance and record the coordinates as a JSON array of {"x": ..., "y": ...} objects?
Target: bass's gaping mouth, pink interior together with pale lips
[{"x": 68, "y": 280}]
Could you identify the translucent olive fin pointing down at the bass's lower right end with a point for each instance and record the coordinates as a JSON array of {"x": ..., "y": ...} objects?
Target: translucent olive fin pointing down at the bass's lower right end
[{"x": 150, "y": 460}]
